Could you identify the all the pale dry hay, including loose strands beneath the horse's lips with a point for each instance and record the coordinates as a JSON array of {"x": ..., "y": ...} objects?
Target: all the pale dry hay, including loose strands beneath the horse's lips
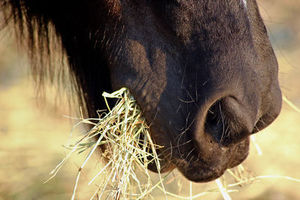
[{"x": 129, "y": 151}]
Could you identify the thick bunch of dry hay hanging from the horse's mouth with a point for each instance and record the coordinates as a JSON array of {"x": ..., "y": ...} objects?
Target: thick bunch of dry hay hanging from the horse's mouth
[{"x": 129, "y": 148}]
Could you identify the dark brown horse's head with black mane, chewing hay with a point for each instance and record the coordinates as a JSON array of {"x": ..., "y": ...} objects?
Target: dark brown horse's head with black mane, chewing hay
[{"x": 202, "y": 71}]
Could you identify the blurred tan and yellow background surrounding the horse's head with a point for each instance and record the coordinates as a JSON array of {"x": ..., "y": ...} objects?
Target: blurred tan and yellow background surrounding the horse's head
[{"x": 33, "y": 129}]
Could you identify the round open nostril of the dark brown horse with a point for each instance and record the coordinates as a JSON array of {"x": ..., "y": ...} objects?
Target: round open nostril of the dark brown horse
[{"x": 228, "y": 122}]
